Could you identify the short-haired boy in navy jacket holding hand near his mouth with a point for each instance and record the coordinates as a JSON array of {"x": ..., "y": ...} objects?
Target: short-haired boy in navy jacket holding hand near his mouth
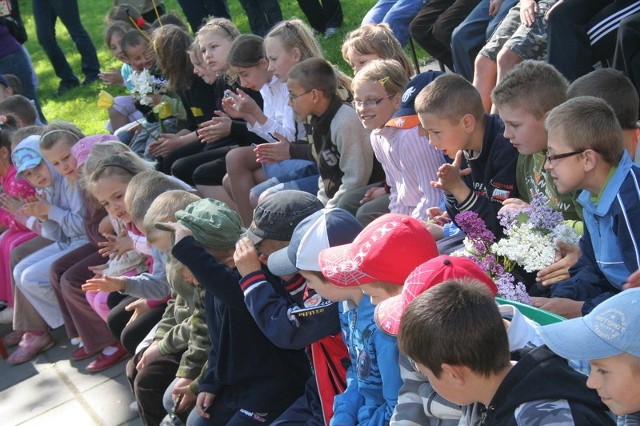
[{"x": 451, "y": 111}]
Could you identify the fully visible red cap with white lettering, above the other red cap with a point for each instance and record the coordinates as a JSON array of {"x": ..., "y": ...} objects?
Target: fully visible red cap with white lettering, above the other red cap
[{"x": 388, "y": 249}]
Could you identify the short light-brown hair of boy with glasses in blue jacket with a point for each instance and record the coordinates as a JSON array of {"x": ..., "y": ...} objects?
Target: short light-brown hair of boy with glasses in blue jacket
[{"x": 587, "y": 122}]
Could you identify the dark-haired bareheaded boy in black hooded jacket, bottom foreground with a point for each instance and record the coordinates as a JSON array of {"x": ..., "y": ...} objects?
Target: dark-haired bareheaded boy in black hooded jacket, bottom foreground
[{"x": 455, "y": 335}]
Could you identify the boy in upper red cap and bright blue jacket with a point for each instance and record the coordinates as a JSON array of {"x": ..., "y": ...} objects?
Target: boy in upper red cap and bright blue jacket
[{"x": 375, "y": 264}]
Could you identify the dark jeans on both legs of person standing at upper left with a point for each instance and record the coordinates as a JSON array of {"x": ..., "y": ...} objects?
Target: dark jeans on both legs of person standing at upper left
[{"x": 45, "y": 14}]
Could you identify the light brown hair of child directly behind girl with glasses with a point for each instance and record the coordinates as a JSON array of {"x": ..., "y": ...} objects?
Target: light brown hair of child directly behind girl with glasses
[{"x": 376, "y": 39}]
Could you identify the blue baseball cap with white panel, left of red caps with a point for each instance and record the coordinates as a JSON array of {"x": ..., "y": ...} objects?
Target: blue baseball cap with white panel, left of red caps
[{"x": 323, "y": 229}]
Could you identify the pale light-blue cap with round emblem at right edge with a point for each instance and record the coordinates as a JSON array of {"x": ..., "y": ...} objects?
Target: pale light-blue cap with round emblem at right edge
[{"x": 610, "y": 329}]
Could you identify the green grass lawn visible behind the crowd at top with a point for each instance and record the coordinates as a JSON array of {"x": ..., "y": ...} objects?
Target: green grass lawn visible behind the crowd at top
[{"x": 79, "y": 105}]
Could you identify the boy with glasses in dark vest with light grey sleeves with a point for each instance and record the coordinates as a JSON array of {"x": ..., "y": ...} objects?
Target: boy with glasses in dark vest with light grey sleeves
[{"x": 338, "y": 142}]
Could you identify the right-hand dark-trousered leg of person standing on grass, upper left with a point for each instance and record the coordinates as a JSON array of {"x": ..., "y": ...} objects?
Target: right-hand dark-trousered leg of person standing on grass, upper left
[{"x": 69, "y": 14}]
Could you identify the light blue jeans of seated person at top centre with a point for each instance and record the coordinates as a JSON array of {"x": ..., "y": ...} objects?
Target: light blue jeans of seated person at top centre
[{"x": 395, "y": 13}]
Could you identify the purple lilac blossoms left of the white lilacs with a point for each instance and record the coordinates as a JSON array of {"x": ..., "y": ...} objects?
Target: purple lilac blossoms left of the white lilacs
[{"x": 479, "y": 242}]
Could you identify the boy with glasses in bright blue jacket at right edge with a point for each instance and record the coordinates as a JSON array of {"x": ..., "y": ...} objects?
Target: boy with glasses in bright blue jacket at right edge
[{"x": 585, "y": 152}]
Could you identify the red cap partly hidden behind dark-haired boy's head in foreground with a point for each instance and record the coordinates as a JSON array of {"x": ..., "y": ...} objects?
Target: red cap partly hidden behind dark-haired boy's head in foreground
[{"x": 425, "y": 276}]
